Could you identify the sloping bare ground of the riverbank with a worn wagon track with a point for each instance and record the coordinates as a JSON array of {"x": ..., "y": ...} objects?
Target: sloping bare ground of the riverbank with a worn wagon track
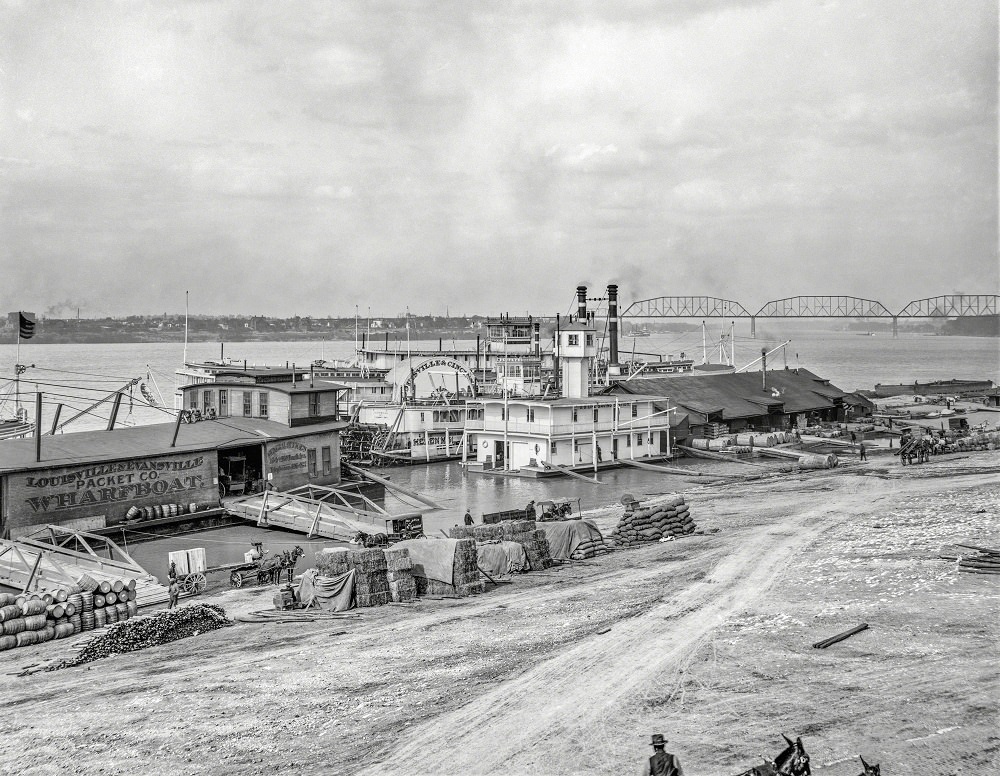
[{"x": 706, "y": 639}]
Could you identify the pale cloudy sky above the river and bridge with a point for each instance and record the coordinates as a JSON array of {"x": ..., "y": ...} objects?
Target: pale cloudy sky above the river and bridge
[{"x": 306, "y": 157}]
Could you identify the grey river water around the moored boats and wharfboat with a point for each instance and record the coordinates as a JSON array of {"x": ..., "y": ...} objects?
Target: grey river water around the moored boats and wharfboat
[{"x": 80, "y": 374}]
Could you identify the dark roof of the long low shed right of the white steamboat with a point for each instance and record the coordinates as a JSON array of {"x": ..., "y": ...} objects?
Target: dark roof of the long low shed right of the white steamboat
[{"x": 740, "y": 395}]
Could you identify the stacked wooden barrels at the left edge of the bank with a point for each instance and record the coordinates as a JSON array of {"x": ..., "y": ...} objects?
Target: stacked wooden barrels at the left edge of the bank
[{"x": 35, "y": 618}]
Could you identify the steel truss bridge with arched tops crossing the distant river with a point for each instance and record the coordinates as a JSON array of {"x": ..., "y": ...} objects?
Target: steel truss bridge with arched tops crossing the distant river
[{"x": 947, "y": 306}]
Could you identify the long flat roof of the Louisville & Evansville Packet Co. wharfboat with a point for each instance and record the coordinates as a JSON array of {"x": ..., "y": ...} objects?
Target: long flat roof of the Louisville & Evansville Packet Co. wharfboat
[{"x": 143, "y": 441}]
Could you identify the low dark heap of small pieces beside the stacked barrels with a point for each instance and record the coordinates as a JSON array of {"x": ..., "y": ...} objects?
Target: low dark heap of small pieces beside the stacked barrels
[{"x": 149, "y": 631}]
